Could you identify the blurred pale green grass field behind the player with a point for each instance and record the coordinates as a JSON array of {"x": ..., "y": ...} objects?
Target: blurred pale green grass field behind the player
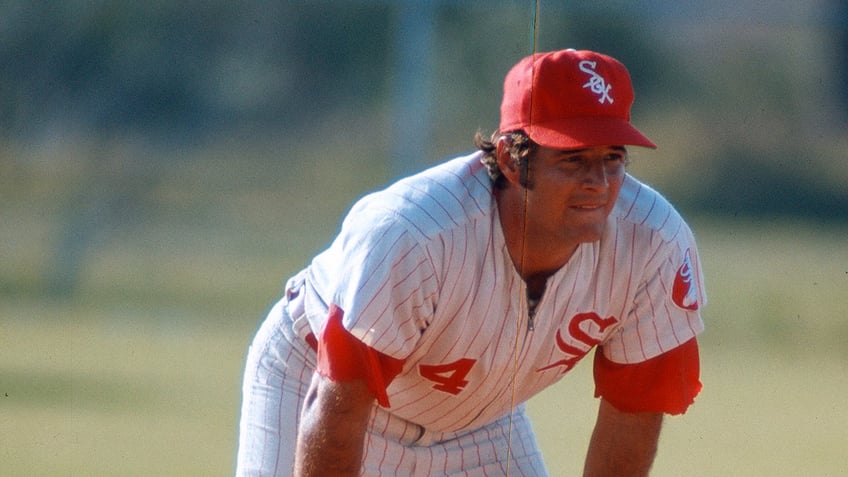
[{"x": 139, "y": 372}]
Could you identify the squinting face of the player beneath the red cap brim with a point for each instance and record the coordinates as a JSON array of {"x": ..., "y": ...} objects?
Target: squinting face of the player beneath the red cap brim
[{"x": 572, "y": 192}]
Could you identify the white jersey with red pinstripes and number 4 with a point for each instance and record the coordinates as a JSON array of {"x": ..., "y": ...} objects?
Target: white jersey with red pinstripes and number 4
[{"x": 422, "y": 273}]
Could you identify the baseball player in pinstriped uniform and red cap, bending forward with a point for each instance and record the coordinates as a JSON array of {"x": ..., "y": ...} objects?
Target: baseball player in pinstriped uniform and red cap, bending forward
[{"x": 451, "y": 297}]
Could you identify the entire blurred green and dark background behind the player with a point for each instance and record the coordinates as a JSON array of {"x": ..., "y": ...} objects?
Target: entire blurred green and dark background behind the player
[{"x": 165, "y": 166}]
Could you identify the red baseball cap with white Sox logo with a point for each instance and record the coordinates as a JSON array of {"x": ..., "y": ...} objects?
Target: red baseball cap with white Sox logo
[{"x": 571, "y": 99}]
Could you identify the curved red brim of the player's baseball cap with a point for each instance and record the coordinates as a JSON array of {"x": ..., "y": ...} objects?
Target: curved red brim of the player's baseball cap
[{"x": 576, "y": 133}]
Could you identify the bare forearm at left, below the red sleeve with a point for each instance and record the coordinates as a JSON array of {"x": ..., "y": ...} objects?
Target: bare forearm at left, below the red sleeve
[{"x": 332, "y": 428}]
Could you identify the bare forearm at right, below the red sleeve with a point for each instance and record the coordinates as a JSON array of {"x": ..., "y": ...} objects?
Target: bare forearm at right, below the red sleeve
[{"x": 623, "y": 444}]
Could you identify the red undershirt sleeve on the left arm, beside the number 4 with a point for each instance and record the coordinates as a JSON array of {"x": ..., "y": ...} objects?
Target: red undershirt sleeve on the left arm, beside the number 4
[{"x": 342, "y": 357}]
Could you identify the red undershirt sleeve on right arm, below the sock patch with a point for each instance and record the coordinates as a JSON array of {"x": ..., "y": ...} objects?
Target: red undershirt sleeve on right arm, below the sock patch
[{"x": 667, "y": 383}]
